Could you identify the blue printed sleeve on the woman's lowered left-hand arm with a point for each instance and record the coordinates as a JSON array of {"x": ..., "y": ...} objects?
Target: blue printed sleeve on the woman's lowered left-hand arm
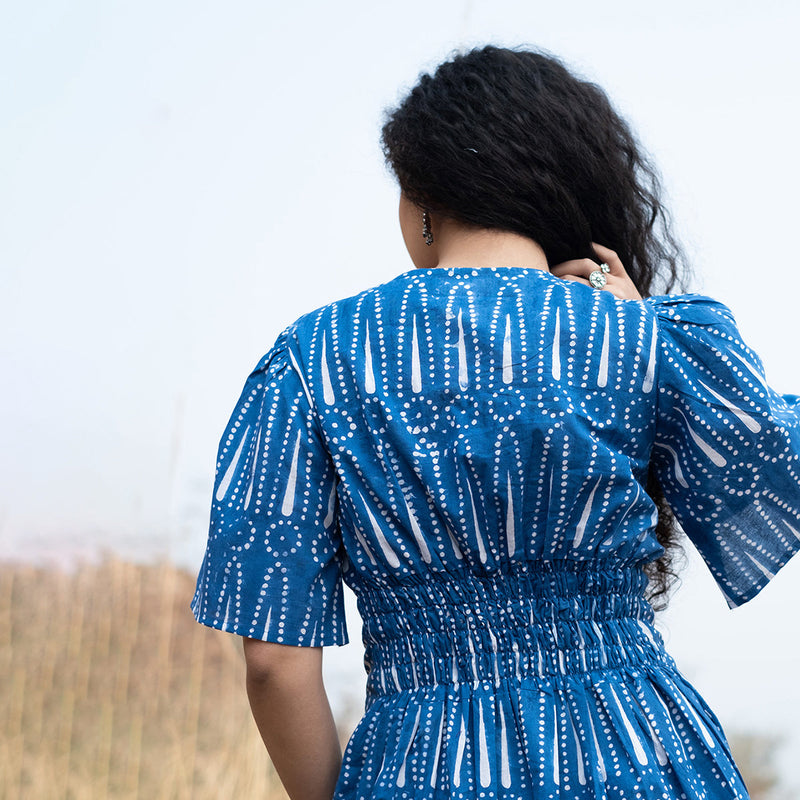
[{"x": 273, "y": 563}]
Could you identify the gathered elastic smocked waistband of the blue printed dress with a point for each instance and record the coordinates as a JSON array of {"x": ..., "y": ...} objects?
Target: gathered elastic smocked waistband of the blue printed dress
[{"x": 539, "y": 619}]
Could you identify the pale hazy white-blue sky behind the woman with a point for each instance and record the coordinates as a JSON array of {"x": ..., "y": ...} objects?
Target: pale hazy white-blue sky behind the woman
[{"x": 178, "y": 182}]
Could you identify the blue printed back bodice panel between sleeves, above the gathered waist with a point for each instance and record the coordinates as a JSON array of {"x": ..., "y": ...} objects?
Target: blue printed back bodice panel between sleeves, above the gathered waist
[{"x": 483, "y": 408}]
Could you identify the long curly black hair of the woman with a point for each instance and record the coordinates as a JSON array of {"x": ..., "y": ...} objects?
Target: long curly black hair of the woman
[{"x": 510, "y": 139}]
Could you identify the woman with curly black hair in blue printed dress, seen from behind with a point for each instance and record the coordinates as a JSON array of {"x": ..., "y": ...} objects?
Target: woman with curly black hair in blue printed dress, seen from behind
[{"x": 486, "y": 449}]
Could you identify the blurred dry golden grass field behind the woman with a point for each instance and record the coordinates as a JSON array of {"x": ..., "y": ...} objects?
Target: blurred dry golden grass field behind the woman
[{"x": 110, "y": 689}]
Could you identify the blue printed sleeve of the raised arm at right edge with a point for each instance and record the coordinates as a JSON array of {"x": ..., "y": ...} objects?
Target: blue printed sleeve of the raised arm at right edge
[{"x": 727, "y": 446}]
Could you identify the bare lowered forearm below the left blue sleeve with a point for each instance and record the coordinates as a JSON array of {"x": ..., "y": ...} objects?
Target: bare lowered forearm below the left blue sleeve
[{"x": 291, "y": 709}]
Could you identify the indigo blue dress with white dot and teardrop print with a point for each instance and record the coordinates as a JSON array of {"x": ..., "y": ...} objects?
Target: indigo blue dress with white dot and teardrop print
[{"x": 467, "y": 449}]
